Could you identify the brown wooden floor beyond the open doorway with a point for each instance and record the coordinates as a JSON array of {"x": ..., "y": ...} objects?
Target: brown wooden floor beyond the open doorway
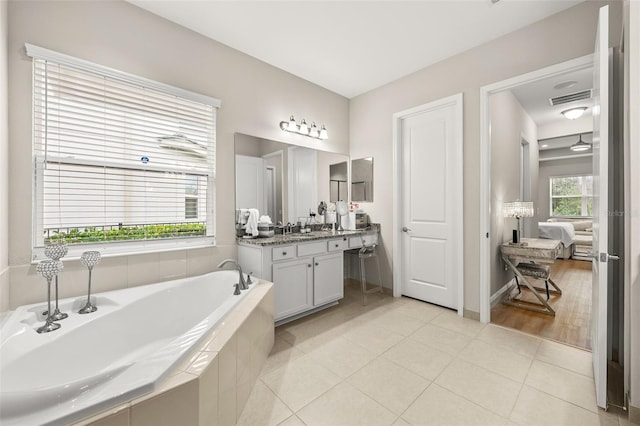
[{"x": 572, "y": 323}]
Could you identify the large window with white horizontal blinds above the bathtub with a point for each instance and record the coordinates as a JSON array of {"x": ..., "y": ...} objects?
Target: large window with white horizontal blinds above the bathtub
[{"x": 119, "y": 161}]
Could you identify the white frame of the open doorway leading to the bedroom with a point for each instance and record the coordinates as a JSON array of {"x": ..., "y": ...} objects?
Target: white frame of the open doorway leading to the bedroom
[{"x": 485, "y": 164}]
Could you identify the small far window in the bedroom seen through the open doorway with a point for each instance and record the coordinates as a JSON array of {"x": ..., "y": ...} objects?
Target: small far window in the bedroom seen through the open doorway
[{"x": 571, "y": 195}]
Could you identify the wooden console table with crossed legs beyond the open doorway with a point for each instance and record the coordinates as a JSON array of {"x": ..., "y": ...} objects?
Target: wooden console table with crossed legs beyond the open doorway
[{"x": 536, "y": 250}]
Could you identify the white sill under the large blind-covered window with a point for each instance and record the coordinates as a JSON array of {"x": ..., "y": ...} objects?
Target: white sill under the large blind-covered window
[{"x": 129, "y": 248}]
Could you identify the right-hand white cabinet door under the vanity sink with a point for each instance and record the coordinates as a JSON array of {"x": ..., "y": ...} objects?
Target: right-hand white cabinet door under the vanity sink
[{"x": 327, "y": 279}]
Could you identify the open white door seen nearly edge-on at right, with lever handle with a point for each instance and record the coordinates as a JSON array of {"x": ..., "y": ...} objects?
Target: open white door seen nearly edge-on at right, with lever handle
[{"x": 600, "y": 148}]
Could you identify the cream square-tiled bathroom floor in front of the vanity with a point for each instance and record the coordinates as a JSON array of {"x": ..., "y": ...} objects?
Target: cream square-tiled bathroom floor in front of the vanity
[{"x": 398, "y": 361}]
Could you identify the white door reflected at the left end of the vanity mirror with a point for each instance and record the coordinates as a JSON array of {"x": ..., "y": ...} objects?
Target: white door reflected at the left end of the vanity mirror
[{"x": 250, "y": 183}]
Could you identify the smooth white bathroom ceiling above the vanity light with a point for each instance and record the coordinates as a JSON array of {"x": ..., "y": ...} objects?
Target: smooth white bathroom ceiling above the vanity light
[{"x": 351, "y": 47}]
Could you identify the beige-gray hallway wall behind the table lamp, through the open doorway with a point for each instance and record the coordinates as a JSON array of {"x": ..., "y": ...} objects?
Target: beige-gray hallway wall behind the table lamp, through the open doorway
[{"x": 509, "y": 124}]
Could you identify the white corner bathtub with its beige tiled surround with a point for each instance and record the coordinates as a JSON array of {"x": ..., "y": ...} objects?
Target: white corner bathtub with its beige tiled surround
[{"x": 180, "y": 368}]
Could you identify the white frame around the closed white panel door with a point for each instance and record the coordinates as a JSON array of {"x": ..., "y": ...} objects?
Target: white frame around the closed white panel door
[{"x": 458, "y": 221}]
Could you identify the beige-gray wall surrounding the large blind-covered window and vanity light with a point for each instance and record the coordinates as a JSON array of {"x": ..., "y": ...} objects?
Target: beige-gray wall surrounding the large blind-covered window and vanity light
[{"x": 255, "y": 98}]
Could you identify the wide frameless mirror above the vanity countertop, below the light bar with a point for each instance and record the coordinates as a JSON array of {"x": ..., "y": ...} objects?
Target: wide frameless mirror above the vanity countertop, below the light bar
[{"x": 284, "y": 181}]
